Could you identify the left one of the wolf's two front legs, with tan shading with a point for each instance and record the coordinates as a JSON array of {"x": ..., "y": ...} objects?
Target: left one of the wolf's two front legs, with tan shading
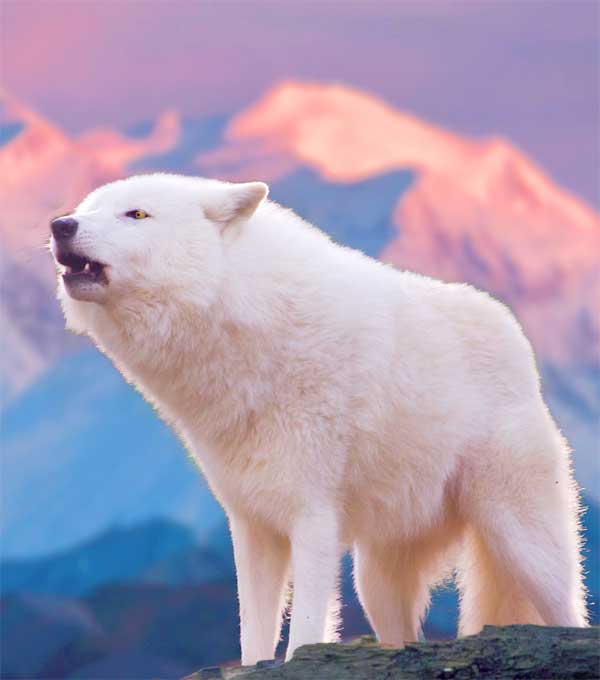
[{"x": 262, "y": 563}]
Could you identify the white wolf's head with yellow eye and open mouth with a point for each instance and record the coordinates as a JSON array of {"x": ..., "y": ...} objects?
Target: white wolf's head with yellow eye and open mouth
[{"x": 148, "y": 237}]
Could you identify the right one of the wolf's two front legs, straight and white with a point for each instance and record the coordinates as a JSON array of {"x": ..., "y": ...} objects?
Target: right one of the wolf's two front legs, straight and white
[{"x": 315, "y": 563}]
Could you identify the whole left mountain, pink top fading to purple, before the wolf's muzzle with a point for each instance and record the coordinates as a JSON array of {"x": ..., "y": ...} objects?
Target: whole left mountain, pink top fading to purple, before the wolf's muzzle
[{"x": 45, "y": 173}]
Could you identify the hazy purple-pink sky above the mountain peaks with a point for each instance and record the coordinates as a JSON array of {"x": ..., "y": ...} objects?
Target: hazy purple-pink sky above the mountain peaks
[{"x": 527, "y": 70}]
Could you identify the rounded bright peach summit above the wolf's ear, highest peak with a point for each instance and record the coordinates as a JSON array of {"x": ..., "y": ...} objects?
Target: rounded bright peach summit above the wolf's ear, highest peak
[{"x": 345, "y": 134}]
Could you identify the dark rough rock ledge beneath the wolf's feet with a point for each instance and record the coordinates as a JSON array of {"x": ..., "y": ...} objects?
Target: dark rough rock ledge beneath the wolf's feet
[{"x": 501, "y": 653}]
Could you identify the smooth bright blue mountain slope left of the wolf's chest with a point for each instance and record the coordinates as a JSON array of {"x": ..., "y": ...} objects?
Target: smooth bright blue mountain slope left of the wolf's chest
[{"x": 82, "y": 452}]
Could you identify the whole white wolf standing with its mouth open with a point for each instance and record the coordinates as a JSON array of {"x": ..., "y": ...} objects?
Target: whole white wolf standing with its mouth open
[{"x": 333, "y": 403}]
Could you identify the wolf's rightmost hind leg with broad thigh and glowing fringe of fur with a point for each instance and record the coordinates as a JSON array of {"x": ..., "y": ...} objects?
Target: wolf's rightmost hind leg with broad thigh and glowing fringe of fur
[{"x": 521, "y": 562}]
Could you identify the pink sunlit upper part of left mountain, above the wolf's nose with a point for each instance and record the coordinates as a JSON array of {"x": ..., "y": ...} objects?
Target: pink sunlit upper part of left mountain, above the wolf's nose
[{"x": 45, "y": 173}]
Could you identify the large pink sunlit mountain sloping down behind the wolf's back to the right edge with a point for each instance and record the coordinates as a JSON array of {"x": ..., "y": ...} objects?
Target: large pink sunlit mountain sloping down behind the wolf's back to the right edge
[{"x": 478, "y": 210}]
